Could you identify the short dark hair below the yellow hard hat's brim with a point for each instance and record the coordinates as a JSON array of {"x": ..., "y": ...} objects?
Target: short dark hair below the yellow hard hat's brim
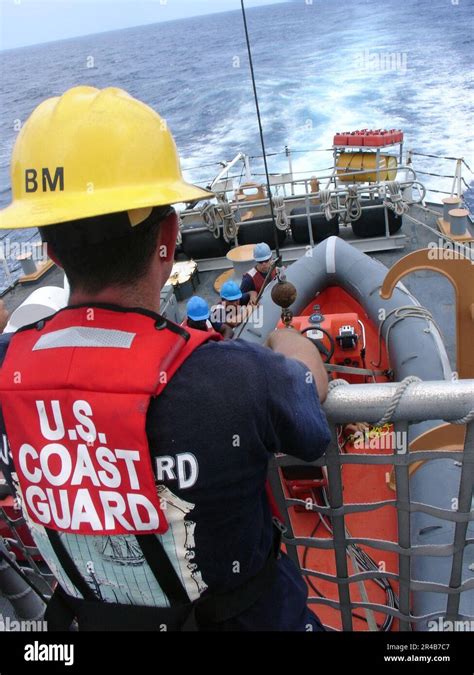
[{"x": 105, "y": 250}]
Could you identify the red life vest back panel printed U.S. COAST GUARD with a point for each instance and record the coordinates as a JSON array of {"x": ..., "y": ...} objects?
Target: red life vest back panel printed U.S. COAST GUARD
[{"x": 75, "y": 391}]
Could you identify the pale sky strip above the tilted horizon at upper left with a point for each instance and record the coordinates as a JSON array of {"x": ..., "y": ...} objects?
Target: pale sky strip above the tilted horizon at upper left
[{"x": 26, "y": 22}]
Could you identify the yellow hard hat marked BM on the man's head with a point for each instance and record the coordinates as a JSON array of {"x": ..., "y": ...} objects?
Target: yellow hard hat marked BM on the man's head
[{"x": 91, "y": 152}]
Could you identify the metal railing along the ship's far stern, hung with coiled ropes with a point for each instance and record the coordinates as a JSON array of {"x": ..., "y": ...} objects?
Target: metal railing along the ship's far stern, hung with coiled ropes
[{"x": 339, "y": 199}]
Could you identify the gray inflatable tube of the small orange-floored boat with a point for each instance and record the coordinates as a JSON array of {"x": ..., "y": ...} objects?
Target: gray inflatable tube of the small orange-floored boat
[{"x": 415, "y": 348}]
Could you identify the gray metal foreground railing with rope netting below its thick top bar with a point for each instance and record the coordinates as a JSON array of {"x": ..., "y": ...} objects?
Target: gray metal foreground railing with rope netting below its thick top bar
[{"x": 449, "y": 401}]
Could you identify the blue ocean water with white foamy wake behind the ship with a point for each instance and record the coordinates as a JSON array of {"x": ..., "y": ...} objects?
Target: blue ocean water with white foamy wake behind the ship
[{"x": 321, "y": 67}]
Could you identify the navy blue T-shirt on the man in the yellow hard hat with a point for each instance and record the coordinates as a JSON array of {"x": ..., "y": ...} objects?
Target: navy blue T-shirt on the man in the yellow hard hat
[{"x": 211, "y": 434}]
